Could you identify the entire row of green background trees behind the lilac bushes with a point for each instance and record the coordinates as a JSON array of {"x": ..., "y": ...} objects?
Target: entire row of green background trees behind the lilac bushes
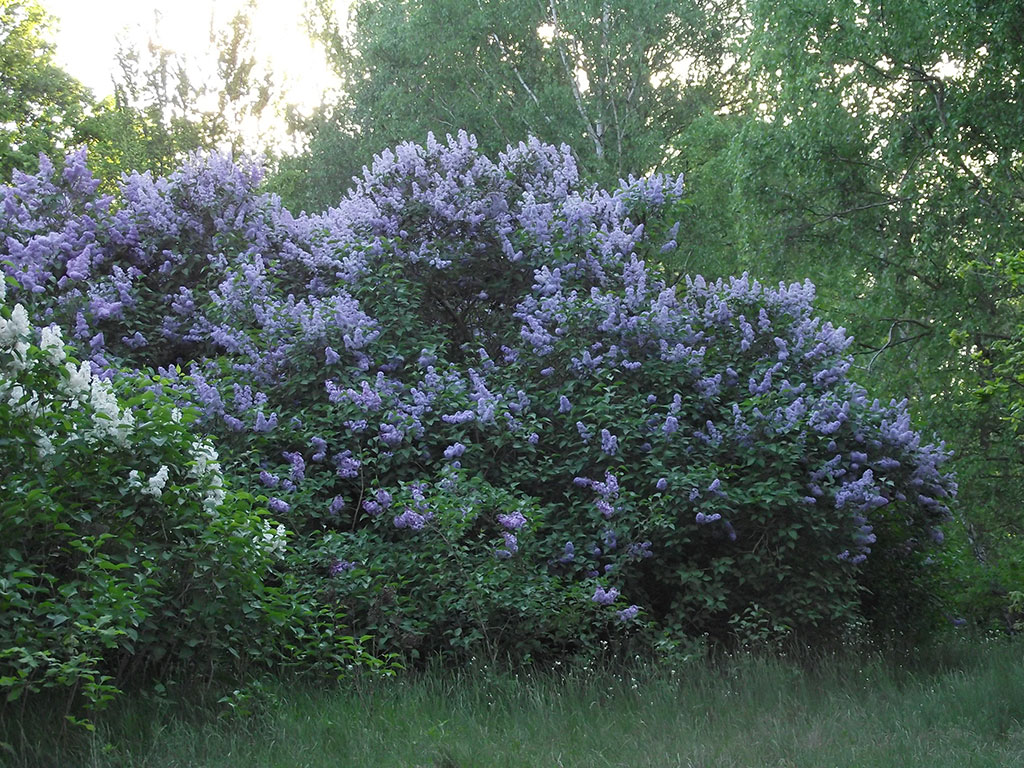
[{"x": 872, "y": 147}]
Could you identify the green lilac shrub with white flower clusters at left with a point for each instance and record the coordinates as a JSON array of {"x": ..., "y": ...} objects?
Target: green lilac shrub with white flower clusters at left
[{"x": 125, "y": 553}]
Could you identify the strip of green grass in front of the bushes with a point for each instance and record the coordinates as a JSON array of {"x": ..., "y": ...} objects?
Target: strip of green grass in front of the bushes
[{"x": 963, "y": 709}]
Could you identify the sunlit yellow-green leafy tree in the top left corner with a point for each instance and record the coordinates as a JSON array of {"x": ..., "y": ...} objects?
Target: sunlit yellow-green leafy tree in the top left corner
[{"x": 41, "y": 107}]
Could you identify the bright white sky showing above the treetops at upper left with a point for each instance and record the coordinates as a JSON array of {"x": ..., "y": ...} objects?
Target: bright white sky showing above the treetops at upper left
[{"x": 89, "y": 31}]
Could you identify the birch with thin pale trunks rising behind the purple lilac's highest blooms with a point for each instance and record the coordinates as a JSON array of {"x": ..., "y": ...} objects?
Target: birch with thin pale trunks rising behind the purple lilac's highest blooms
[{"x": 617, "y": 81}]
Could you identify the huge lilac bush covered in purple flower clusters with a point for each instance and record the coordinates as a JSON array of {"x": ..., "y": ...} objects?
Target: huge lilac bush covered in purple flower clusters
[{"x": 674, "y": 452}]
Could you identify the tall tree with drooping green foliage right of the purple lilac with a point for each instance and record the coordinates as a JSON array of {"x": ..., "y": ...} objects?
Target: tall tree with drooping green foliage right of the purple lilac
[{"x": 882, "y": 160}]
